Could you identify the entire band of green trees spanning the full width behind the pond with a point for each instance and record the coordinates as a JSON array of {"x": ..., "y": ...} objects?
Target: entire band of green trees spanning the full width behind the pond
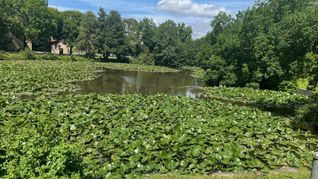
[{"x": 268, "y": 46}]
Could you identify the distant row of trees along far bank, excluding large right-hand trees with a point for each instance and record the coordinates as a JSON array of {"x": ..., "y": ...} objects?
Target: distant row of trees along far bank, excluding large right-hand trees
[{"x": 104, "y": 33}]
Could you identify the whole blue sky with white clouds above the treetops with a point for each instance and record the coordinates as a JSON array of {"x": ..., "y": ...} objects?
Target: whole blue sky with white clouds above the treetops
[{"x": 196, "y": 13}]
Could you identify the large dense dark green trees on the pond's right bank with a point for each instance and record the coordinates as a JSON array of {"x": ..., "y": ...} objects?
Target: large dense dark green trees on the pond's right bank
[{"x": 270, "y": 43}]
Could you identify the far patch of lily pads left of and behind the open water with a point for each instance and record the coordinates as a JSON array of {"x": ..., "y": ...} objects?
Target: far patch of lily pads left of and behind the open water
[{"x": 47, "y": 77}]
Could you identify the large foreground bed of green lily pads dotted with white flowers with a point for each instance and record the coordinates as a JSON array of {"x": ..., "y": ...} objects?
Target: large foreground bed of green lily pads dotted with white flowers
[{"x": 116, "y": 136}]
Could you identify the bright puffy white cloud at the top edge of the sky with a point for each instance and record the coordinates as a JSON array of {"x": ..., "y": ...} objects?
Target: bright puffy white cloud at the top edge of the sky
[{"x": 189, "y": 8}]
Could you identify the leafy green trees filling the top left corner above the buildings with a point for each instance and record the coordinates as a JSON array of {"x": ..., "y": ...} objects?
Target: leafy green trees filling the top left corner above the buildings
[{"x": 27, "y": 19}]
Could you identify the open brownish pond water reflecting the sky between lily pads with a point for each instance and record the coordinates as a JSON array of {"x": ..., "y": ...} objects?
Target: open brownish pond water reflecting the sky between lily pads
[{"x": 147, "y": 83}]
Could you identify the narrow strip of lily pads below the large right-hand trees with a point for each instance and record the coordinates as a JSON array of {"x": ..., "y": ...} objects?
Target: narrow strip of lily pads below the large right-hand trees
[{"x": 254, "y": 96}]
